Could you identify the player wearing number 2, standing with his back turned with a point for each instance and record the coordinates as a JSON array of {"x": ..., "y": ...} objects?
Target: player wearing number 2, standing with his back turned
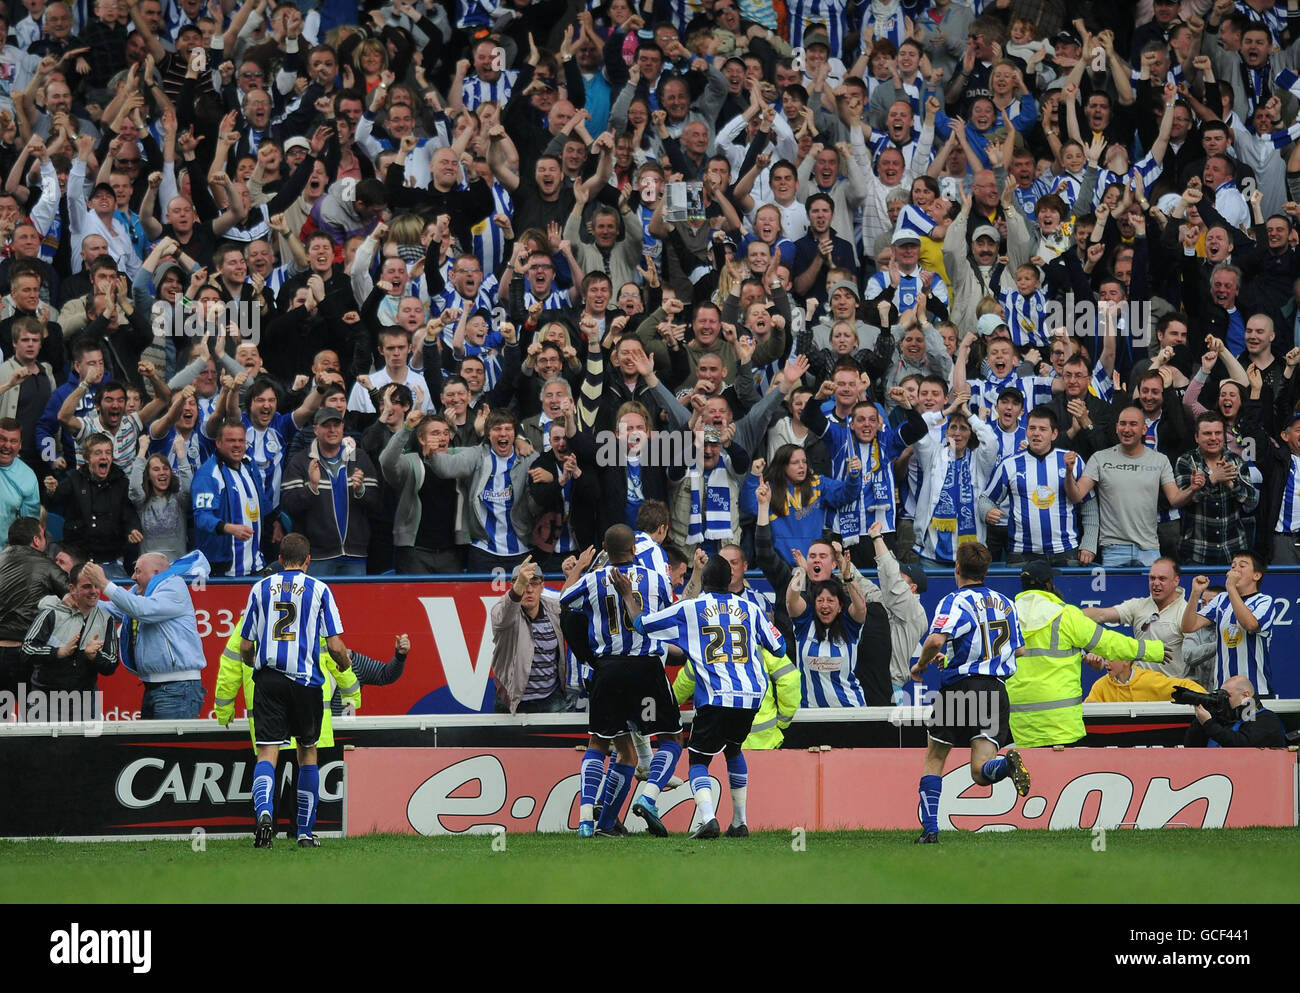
[{"x": 287, "y": 617}]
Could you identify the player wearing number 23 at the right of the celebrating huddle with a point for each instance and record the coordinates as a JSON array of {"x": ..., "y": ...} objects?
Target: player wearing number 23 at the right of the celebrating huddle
[{"x": 722, "y": 635}]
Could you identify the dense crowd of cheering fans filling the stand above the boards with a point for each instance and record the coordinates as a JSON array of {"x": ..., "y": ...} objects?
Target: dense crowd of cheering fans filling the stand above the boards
[{"x": 450, "y": 287}]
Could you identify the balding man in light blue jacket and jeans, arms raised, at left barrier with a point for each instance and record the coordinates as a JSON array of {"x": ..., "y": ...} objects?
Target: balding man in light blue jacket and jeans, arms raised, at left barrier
[{"x": 161, "y": 636}]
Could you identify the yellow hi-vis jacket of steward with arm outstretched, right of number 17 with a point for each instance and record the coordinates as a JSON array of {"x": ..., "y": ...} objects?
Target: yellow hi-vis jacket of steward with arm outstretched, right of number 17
[{"x": 1047, "y": 690}]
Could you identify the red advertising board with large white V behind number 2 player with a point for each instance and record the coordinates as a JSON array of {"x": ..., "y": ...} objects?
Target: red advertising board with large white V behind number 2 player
[{"x": 448, "y": 670}]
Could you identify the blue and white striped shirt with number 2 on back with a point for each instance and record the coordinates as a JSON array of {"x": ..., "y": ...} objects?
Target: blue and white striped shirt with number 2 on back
[{"x": 288, "y": 615}]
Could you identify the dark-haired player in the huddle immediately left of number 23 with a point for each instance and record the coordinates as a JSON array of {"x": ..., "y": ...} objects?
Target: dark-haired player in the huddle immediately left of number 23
[{"x": 630, "y": 690}]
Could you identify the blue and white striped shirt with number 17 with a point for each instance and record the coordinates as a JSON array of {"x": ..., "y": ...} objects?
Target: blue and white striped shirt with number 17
[{"x": 983, "y": 634}]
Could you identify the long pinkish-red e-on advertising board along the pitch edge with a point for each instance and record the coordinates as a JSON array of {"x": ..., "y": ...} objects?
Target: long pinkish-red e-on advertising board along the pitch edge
[{"x": 457, "y": 791}]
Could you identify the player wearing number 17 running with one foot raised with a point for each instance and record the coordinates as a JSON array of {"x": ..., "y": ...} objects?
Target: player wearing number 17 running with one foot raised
[{"x": 972, "y": 706}]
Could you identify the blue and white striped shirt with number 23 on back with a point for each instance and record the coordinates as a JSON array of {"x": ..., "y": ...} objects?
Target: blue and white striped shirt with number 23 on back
[{"x": 722, "y": 635}]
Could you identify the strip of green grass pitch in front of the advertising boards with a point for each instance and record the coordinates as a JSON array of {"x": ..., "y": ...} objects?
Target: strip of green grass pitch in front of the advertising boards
[{"x": 876, "y": 866}]
